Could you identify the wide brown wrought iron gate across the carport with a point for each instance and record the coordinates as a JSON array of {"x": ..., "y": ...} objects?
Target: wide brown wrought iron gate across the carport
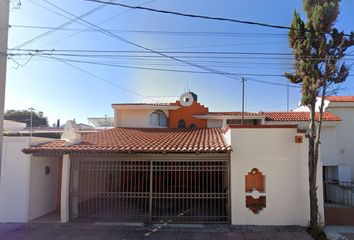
[{"x": 172, "y": 191}]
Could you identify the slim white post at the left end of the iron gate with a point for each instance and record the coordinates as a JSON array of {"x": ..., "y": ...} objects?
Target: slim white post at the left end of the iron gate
[{"x": 65, "y": 185}]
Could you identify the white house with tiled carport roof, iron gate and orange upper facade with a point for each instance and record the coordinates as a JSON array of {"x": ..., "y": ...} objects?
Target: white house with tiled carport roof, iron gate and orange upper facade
[{"x": 176, "y": 162}]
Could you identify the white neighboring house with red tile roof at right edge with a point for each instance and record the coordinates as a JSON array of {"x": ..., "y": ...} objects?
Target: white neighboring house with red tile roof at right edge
[{"x": 337, "y": 152}]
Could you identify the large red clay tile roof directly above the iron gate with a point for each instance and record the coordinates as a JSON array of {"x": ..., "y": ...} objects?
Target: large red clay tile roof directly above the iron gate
[{"x": 142, "y": 140}]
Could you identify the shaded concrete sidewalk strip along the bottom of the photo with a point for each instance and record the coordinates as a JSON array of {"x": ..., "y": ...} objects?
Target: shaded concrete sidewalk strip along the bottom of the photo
[{"x": 75, "y": 231}]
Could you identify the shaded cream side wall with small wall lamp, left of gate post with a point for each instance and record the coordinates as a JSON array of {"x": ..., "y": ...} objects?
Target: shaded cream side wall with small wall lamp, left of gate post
[{"x": 42, "y": 187}]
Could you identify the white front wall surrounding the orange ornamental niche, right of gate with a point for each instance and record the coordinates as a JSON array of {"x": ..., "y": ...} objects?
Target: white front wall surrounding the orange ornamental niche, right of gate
[{"x": 284, "y": 163}]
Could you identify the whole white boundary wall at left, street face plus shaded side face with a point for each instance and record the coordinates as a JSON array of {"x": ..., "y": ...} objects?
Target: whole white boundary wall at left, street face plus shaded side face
[{"x": 21, "y": 201}]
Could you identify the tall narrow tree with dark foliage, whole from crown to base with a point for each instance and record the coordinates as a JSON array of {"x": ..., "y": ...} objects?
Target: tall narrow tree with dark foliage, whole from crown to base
[{"x": 319, "y": 49}]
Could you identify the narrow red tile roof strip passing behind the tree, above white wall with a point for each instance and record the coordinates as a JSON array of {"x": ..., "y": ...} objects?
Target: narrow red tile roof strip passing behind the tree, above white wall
[{"x": 298, "y": 116}]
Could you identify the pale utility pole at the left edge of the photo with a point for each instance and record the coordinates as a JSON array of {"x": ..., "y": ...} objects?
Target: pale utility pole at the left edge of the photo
[{"x": 4, "y": 29}]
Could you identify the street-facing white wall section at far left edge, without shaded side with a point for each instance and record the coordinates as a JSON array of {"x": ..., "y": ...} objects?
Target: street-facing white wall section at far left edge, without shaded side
[{"x": 14, "y": 180}]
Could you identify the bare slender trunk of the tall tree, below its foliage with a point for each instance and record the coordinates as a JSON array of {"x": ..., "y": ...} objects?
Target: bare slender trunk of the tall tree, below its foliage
[{"x": 312, "y": 163}]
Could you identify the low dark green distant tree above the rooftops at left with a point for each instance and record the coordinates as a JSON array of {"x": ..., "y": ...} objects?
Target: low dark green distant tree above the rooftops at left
[{"x": 25, "y": 117}]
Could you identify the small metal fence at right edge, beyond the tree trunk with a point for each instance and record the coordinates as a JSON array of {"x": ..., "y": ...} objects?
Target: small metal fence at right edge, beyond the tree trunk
[{"x": 339, "y": 194}]
